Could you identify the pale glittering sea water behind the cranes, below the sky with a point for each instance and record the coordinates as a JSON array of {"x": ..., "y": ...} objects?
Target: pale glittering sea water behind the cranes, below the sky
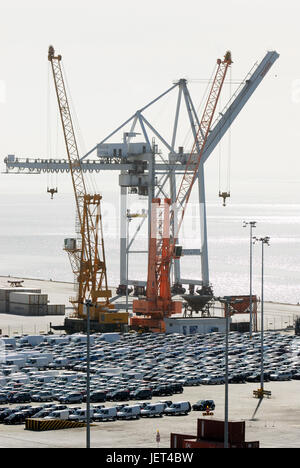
[{"x": 33, "y": 228}]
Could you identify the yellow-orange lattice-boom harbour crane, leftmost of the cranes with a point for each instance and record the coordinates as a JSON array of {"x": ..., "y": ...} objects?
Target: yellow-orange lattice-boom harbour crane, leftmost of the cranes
[{"x": 86, "y": 253}]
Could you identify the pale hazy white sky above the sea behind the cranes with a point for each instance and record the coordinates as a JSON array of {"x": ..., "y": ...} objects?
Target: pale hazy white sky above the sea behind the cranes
[{"x": 119, "y": 55}]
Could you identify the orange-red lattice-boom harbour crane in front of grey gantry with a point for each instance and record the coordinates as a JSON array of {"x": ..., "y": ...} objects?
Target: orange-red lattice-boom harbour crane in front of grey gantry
[{"x": 151, "y": 312}]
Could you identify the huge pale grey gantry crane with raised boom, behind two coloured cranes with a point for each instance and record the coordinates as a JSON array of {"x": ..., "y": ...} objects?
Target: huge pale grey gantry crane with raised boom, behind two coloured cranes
[{"x": 137, "y": 169}]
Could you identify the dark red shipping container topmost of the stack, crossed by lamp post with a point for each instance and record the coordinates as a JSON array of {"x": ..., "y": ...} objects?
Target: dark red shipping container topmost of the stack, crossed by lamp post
[{"x": 213, "y": 429}]
